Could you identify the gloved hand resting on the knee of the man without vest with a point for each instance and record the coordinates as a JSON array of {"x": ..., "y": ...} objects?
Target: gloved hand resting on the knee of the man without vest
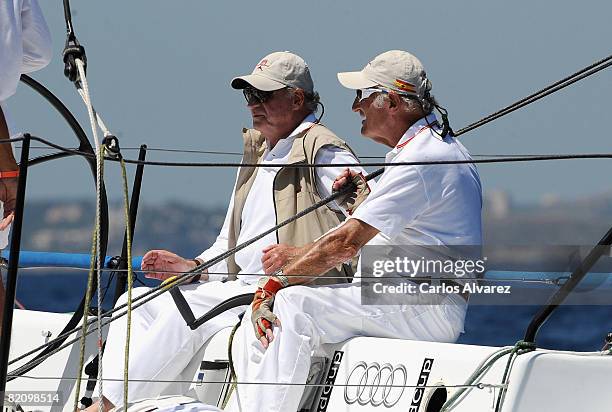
[{"x": 262, "y": 317}]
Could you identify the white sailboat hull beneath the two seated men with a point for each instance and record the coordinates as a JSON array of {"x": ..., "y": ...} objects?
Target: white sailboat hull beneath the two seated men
[{"x": 362, "y": 374}]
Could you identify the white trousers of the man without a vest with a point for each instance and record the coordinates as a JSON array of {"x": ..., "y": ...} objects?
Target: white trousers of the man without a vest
[{"x": 311, "y": 316}]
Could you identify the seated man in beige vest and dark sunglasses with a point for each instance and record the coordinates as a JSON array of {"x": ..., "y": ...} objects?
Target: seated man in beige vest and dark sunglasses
[{"x": 281, "y": 98}]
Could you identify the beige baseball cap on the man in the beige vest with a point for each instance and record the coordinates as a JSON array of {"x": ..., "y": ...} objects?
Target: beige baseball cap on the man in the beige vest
[{"x": 275, "y": 71}]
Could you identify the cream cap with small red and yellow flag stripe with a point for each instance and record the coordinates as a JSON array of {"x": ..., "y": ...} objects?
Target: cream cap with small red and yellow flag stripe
[{"x": 394, "y": 70}]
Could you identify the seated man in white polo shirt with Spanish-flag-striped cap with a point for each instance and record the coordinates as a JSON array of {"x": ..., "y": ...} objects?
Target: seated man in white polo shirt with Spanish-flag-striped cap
[{"x": 410, "y": 205}]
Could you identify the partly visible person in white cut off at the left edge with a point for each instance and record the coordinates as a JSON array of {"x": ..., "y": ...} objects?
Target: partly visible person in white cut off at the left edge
[{"x": 25, "y": 46}]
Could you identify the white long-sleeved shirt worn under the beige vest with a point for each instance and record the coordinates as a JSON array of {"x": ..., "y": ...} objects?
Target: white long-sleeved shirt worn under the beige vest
[{"x": 259, "y": 214}]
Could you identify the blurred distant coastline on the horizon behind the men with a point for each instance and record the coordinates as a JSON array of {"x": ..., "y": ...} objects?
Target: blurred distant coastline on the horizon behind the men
[{"x": 65, "y": 225}]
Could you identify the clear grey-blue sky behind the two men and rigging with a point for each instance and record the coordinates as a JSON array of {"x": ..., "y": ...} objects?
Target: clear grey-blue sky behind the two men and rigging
[{"x": 159, "y": 73}]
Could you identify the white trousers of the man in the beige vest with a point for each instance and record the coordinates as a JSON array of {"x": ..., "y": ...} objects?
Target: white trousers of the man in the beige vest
[{"x": 161, "y": 343}]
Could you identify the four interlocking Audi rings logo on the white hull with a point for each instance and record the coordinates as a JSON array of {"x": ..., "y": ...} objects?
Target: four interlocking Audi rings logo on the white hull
[{"x": 375, "y": 384}]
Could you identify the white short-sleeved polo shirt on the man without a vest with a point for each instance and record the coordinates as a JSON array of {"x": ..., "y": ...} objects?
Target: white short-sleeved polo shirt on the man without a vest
[{"x": 425, "y": 205}]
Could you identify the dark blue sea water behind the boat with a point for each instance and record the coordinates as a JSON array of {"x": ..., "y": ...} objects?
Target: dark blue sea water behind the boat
[{"x": 581, "y": 328}]
